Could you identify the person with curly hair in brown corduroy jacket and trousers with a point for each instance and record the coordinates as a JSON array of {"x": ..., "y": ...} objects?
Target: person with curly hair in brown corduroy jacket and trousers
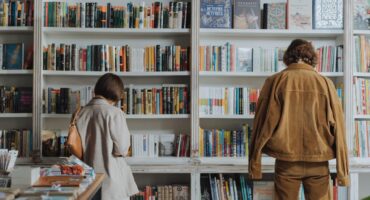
[{"x": 299, "y": 121}]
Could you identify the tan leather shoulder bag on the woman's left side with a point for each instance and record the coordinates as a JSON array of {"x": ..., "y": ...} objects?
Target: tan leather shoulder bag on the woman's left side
[{"x": 74, "y": 143}]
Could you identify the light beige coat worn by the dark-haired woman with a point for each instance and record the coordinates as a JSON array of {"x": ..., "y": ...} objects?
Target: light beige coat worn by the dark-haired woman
[{"x": 104, "y": 131}]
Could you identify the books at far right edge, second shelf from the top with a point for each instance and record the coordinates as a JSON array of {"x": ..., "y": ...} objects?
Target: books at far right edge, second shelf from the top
[{"x": 362, "y": 53}]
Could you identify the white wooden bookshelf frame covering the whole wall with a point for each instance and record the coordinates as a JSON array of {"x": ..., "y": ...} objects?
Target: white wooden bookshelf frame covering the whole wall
[{"x": 188, "y": 168}]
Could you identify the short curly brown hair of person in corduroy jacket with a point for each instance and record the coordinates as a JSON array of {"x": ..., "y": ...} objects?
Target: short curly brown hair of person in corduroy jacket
[{"x": 300, "y": 50}]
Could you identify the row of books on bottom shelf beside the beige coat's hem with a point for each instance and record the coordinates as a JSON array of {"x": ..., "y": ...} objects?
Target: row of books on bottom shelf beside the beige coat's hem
[{"x": 163, "y": 192}]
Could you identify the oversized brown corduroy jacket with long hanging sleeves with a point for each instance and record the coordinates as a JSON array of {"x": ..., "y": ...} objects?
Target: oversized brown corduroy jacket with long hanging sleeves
[{"x": 299, "y": 118}]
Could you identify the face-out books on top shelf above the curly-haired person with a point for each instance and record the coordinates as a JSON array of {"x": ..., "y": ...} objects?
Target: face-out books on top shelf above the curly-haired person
[{"x": 295, "y": 14}]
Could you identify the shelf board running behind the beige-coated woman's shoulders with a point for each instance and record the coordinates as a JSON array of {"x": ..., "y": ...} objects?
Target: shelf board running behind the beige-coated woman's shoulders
[{"x": 177, "y": 116}]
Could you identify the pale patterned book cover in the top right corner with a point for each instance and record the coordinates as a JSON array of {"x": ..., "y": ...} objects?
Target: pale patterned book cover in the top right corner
[{"x": 361, "y": 14}]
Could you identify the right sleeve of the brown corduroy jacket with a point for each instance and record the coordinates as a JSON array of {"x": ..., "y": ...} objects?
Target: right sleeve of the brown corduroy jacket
[{"x": 337, "y": 127}]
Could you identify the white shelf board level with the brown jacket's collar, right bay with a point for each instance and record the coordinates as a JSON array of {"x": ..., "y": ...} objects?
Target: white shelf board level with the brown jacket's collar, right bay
[{"x": 257, "y": 74}]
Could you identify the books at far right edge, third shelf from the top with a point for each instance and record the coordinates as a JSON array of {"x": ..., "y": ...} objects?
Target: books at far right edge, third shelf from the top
[{"x": 361, "y": 87}]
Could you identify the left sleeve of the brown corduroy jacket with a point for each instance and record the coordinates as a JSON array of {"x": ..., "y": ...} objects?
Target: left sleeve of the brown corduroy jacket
[{"x": 266, "y": 118}]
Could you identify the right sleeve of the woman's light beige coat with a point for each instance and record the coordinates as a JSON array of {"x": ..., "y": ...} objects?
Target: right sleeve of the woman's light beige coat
[{"x": 120, "y": 135}]
